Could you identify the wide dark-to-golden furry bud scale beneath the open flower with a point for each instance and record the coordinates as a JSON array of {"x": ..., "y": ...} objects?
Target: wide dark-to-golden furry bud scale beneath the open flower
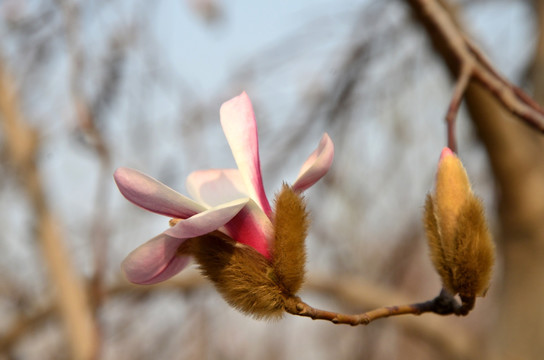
[{"x": 243, "y": 276}]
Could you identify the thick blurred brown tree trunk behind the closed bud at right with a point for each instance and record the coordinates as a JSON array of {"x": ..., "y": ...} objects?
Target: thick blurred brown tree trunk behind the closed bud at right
[{"x": 515, "y": 153}]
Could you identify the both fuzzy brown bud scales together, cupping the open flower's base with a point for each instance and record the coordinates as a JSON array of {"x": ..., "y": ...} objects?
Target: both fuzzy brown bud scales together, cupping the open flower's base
[{"x": 246, "y": 279}]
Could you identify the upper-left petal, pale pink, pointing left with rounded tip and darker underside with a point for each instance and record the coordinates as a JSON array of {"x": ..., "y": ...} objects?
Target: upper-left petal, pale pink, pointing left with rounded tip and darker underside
[{"x": 153, "y": 195}]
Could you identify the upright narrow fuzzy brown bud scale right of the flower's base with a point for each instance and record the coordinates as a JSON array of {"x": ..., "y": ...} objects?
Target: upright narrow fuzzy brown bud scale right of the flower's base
[{"x": 290, "y": 230}]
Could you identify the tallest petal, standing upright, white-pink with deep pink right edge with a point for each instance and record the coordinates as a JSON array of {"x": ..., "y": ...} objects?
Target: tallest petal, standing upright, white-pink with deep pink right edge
[{"x": 238, "y": 122}]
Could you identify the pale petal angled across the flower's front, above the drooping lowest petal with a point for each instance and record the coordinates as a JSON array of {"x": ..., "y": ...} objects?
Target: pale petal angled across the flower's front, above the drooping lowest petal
[{"x": 207, "y": 221}]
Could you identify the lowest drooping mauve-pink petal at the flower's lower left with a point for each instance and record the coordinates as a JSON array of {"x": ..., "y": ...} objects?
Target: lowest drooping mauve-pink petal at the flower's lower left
[{"x": 155, "y": 261}]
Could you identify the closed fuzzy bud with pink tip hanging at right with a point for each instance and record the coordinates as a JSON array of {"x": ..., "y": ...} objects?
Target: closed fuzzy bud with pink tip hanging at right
[{"x": 460, "y": 244}]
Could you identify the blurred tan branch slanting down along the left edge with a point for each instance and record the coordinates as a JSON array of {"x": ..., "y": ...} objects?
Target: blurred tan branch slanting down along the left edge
[{"x": 22, "y": 148}]
